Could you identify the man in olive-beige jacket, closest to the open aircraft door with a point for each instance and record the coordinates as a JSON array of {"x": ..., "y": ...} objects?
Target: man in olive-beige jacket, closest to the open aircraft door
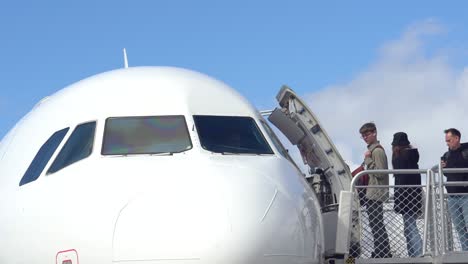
[{"x": 376, "y": 159}]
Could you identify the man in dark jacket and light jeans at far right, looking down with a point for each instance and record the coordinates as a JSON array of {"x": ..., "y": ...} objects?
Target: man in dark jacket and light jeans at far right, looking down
[{"x": 457, "y": 157}]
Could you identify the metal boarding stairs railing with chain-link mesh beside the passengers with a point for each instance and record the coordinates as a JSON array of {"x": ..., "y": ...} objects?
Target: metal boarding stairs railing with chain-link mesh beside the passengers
[{"x": 440, "y": 240}]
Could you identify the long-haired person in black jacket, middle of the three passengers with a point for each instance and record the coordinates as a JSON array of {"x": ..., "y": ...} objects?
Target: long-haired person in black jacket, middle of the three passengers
[{"x": 408, "y": 200}]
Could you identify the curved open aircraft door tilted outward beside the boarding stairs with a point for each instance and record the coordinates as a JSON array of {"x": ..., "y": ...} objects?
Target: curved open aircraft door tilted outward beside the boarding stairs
[{"x": 302, "y": 128}]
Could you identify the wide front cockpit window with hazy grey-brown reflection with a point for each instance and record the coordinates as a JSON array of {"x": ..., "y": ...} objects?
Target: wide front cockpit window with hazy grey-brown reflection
[{"x": 145, "y": 135}]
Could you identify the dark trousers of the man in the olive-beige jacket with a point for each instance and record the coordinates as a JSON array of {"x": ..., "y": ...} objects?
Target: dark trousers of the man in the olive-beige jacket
[{"x": 379, "y": 232}]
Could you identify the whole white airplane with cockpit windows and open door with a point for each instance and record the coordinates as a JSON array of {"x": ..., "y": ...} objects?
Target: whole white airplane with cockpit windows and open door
[{"x": 166, "y": 165}]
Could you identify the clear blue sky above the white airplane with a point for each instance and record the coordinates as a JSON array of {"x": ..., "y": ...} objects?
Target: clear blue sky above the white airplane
[{"x": 254, "y": 46}]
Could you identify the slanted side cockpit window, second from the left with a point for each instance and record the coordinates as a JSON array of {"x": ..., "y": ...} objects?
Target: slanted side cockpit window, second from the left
[{"x": 79, "y": 146}]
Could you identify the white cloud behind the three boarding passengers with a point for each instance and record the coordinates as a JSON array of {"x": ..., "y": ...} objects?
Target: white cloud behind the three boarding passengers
[{"x": 404, "y": 90}]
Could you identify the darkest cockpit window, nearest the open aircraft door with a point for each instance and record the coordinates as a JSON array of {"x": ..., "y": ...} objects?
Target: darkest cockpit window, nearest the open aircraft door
[{"x": 231, "y": 134}]
